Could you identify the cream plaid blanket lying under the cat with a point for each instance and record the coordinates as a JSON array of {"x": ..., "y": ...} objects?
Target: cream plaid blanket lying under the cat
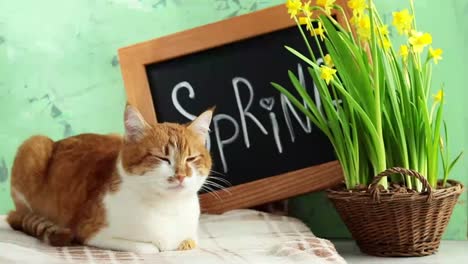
[{"x": 239, "y": 236}]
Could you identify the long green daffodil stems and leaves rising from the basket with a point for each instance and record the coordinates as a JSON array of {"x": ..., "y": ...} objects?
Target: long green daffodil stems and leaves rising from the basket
[{"x": 383, "y": 118}]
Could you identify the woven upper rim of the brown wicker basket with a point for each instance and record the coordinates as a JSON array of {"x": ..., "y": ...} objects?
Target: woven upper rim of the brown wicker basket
[{"x": 340, "y": 192}]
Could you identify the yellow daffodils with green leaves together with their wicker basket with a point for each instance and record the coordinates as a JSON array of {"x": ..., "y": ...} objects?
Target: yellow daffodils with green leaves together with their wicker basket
[{"x": 379, "y": 115}]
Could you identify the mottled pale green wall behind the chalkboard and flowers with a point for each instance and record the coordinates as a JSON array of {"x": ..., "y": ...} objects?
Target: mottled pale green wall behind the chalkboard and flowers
[{"x": 60, "y": 76}]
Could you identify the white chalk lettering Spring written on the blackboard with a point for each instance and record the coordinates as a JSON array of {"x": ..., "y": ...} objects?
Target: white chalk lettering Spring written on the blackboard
[{"x": 244, "y": 97}]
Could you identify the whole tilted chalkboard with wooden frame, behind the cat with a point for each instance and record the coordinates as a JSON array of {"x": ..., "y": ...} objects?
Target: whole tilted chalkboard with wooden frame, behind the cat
[{"x": 260, "y": 143}]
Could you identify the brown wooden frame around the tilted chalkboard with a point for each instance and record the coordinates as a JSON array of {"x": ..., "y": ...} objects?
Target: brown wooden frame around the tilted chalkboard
[{"x": 133, "y": 61}]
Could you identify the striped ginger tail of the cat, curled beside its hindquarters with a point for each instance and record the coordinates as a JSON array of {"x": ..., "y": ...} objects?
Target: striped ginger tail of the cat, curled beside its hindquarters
[{"x": 41, "y": 228}]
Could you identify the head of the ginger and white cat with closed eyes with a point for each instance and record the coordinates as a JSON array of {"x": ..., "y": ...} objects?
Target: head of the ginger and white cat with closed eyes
[{"x": 168, "y": 158}]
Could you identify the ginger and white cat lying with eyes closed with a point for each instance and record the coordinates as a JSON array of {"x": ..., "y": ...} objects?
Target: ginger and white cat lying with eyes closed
[{"x": 133, "y": 193}]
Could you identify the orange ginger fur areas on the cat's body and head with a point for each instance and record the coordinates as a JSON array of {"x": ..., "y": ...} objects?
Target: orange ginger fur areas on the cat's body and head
[{"x": 58, "y": 186}]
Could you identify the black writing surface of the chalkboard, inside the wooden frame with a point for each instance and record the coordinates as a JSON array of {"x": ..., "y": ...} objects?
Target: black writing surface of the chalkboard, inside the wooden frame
[{"x": 256, "y": 132}]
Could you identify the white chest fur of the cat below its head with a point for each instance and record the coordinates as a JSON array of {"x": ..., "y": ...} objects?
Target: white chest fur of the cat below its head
[{"x": 137, "y": 215}]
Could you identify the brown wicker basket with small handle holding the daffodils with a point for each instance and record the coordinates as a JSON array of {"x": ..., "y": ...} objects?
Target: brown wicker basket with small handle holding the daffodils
[{"x": 397, "y": 224}]
